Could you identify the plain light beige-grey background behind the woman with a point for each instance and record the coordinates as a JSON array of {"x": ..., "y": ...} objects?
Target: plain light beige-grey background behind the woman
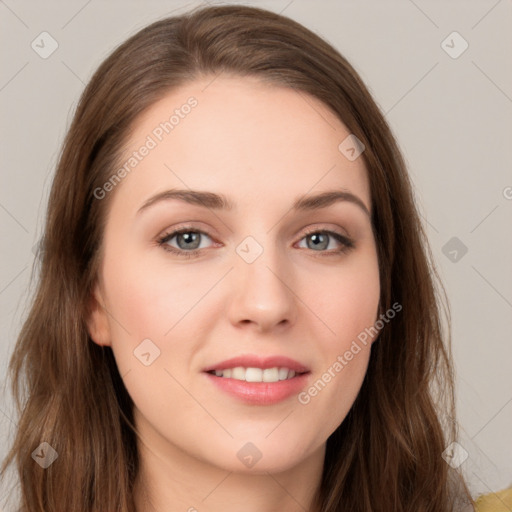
[{"x": 452, "y": 118}]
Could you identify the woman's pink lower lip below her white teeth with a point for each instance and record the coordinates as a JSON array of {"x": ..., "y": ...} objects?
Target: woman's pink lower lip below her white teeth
[{"x": 260, "y": 393}]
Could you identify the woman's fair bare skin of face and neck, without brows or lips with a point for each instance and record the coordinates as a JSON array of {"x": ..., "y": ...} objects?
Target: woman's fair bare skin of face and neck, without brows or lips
[{"x": 262, "y": 146}]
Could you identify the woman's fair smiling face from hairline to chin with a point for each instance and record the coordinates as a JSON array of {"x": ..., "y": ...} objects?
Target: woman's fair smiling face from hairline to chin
[{"x": 261, "y": 281}]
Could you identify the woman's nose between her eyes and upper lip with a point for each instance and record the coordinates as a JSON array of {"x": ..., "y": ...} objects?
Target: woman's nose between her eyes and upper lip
[{"x": 264, "y": 296}]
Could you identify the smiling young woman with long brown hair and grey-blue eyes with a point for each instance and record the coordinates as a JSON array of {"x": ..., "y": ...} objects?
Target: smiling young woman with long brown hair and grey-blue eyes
[{"x": 294, "y": 358}]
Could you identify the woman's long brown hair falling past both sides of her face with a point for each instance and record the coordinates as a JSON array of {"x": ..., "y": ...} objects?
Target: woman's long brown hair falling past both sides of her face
[{"x": 386, "y": 454}]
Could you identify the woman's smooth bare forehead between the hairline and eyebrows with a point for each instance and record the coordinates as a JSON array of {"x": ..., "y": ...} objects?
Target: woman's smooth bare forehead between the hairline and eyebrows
[{"x": 236, "y": 133}]
